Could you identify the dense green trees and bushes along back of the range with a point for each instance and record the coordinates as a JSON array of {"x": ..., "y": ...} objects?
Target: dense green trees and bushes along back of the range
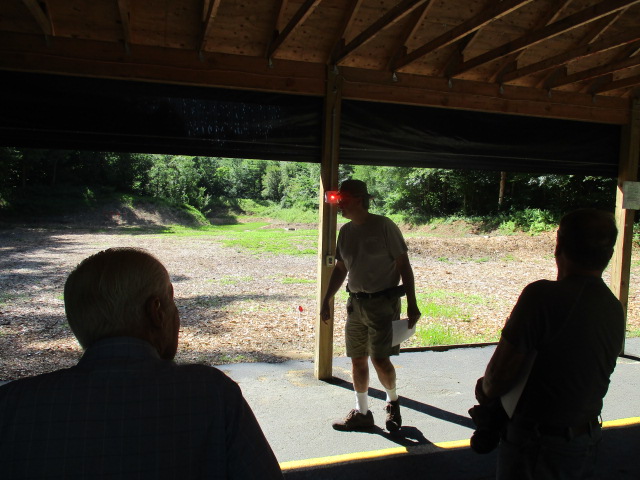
[{"x": 206, "y": 183}]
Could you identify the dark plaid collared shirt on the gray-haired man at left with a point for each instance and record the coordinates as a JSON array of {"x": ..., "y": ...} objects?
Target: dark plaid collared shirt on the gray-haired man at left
[{"x": 124, "y": 413}]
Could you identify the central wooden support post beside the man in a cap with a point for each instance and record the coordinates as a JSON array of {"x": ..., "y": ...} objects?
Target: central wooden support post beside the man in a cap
[{"x": 328, "y": 221}]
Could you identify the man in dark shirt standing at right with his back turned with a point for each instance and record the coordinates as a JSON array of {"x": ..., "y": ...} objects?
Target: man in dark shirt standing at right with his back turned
[{"x": 570, "y": 331}]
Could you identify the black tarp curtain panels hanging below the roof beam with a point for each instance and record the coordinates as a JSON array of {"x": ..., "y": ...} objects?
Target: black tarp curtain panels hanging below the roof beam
[{"x": 53, "y": 111}]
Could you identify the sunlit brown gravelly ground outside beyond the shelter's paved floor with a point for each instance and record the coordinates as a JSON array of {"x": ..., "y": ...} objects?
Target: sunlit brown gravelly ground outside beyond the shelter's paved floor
[{"x": 239, "y": 307}]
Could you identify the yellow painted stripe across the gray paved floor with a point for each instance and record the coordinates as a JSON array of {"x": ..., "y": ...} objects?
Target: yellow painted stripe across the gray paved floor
[{"x": 349, "y": 457}]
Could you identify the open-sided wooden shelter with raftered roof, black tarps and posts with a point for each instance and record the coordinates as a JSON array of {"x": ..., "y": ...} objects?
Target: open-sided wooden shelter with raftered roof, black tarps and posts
[{"x": 519, "y": 85}]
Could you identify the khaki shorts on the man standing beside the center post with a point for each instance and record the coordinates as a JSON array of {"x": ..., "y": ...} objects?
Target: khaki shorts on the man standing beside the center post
[{"x": 369, "y": 332}]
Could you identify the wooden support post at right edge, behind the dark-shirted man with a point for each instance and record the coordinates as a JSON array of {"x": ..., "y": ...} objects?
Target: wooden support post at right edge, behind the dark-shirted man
[{"x": 628, "y": 171}]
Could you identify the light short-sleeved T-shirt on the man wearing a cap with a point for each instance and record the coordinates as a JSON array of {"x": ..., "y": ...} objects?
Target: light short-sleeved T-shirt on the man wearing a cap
[{"x": 369, "y": 252}]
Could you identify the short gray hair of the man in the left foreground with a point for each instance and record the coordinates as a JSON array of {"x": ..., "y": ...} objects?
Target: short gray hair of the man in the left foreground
[{"x": 105, "y": 295}]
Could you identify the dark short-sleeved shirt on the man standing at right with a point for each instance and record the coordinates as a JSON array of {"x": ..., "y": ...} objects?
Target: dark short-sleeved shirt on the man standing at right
[{"x": 576, "y": 326}]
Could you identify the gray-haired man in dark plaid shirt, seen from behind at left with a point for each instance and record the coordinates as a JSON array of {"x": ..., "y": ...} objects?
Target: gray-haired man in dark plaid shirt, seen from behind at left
[{"x": 126, "y": 410}]
